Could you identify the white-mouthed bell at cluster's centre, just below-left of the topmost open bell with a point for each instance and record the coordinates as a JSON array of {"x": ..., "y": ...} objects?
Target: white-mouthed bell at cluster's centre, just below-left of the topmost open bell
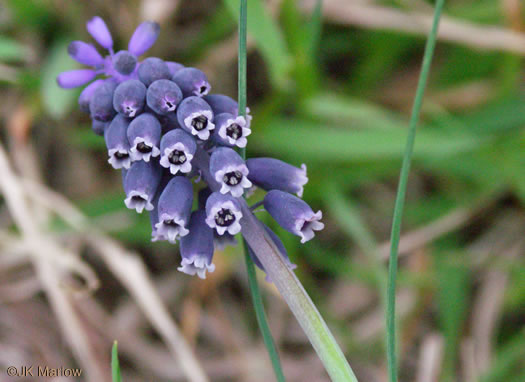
[{"x": 177, "y": 150}]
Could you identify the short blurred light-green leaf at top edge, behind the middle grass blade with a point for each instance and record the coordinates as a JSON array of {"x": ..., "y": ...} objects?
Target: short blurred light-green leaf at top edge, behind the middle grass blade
[{"x": 268, "y": 38}]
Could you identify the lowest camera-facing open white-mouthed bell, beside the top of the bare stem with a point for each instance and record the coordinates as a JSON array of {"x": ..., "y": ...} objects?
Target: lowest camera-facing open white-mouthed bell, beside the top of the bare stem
[{"x": 223, "y": 212}]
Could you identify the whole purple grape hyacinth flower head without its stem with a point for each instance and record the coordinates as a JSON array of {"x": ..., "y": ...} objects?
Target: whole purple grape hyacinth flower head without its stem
[{"x": 168, "y": 136}]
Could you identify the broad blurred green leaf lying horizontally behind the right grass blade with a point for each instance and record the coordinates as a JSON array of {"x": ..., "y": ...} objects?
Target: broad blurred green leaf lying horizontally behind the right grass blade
[{"x": 319, "y": 142}]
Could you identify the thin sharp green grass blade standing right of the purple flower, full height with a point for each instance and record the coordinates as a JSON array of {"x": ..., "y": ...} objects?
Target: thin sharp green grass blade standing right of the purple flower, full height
[{"x": 401, "y": 191}]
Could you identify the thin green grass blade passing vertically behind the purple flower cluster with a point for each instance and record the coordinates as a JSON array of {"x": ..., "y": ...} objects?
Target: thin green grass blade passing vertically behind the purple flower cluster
[{"x": 250, "y": 267}]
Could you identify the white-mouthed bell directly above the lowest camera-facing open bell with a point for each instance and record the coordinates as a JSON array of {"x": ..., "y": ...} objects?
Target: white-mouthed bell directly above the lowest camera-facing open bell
[{"x": 228, "y": 168}]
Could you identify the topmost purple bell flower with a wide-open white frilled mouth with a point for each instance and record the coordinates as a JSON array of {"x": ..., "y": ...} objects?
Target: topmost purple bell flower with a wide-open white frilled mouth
[{"x": 195, "y": 116}]
